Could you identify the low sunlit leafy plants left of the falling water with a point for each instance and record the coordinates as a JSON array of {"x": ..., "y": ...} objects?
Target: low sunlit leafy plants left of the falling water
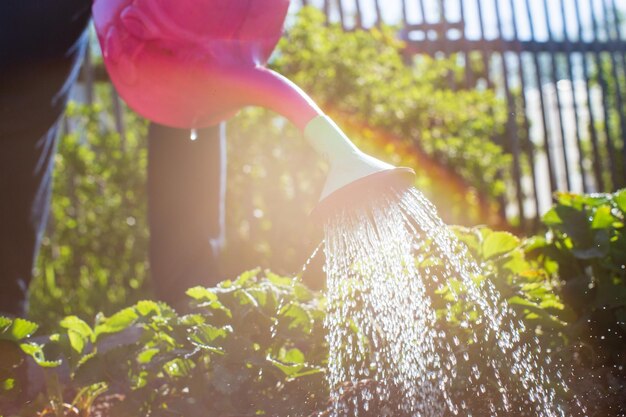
[{"x": 249, "y": 346}]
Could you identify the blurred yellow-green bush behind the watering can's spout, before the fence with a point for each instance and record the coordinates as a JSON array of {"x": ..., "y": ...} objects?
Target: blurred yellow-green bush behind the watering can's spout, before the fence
[{"x": 365, "y": 77}]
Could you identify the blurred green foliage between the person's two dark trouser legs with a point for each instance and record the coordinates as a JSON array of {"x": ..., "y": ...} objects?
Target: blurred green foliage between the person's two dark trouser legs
[{"x": 94, "y": 255}]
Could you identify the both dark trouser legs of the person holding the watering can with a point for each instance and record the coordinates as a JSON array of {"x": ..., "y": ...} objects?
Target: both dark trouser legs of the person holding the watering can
[{"x": 42, "y": 43}]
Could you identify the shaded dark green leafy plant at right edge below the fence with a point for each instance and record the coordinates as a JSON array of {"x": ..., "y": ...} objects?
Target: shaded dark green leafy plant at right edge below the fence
[{"x": 586, "y": 248}]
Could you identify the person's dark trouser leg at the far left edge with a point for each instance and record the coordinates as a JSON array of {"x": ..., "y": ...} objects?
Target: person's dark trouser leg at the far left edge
[{"x": 41, "y": 47}]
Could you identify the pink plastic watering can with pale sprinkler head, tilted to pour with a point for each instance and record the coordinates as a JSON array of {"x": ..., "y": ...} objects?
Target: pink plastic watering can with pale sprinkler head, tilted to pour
[{"x": 195, "y": 63}]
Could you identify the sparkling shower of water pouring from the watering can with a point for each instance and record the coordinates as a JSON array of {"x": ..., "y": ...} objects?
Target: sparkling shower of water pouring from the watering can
[{"x": 382, "y": 321}]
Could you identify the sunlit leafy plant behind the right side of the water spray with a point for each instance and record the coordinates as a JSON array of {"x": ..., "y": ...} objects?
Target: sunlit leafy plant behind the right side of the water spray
[{"x": 536, "y": 310}]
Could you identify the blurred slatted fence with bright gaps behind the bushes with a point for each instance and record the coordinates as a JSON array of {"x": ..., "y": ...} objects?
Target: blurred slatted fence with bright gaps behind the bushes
[{"x": 560, "y": 66}]
